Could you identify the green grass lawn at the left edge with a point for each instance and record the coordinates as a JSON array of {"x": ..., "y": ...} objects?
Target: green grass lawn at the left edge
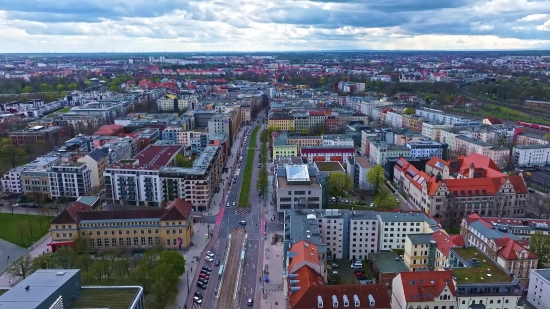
[{"x": 23, "y": 230}]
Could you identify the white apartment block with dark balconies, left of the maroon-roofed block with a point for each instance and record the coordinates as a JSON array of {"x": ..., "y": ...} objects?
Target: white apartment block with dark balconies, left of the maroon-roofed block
[{"x": 70, "y": 180}]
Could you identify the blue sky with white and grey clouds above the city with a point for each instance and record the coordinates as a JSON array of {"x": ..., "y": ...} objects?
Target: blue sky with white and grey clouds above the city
[{"x": 271, "y": 25}]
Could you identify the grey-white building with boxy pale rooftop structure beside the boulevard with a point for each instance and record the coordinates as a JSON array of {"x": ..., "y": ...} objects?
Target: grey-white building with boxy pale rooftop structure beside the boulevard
[{"x": 297, "y": 187}]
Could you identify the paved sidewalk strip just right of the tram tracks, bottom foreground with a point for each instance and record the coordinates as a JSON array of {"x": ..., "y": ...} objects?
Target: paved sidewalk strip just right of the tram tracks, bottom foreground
[{"x": 272, "y": 292}]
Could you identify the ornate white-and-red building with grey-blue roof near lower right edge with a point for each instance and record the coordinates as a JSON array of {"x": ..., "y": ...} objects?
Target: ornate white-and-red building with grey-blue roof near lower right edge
[{"x": 507, "y": 249}]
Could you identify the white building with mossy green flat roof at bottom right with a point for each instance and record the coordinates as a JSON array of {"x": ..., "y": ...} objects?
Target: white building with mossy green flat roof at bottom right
[{"x": 480, "y": 281}]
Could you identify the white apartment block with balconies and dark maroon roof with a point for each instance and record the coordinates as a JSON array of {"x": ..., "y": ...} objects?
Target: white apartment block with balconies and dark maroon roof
[{"x": 137, "y": 181}]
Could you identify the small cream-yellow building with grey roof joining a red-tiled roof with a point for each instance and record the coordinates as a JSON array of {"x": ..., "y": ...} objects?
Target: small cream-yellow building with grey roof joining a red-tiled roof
[{"x": 430, "y": 251}]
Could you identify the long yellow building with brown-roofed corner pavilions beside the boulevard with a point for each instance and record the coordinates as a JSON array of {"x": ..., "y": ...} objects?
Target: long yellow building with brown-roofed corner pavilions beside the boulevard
[{"x": 81, "y": 228}]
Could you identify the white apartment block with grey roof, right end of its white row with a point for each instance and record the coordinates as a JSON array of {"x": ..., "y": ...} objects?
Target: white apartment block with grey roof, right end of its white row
[{"x": 396, "y": 225}]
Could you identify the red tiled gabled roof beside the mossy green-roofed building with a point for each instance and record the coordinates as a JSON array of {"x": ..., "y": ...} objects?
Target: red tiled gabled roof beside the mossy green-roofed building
[{"x": 426, "y": 285}]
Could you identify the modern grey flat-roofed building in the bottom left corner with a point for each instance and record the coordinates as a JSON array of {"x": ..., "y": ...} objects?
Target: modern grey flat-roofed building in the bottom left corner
[{"x": 62, "y": 288}]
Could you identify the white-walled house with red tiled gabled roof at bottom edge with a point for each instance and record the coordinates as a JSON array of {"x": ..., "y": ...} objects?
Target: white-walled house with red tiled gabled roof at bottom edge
[{"x": 425, "y": 290}]
